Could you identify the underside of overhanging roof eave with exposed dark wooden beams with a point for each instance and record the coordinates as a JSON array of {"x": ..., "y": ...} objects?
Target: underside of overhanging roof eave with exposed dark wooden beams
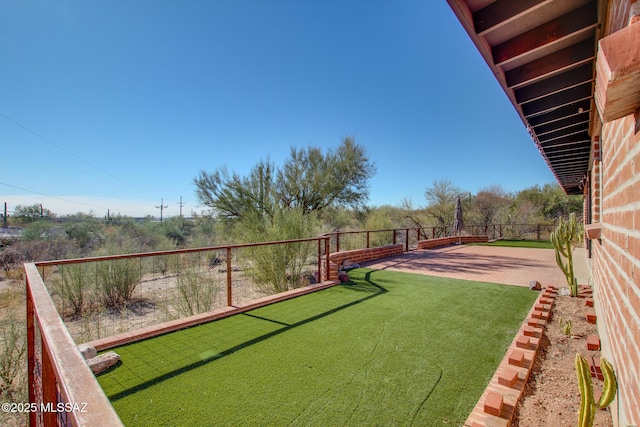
[{"x": 542, "y": 52}]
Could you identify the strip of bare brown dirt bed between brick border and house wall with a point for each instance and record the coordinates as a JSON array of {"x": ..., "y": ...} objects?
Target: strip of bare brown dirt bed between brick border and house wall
[{"x": 552, "y": 397}]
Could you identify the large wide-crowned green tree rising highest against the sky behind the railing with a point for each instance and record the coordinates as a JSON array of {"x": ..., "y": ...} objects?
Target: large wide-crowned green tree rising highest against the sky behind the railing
[{"x": 309, "y": 180}]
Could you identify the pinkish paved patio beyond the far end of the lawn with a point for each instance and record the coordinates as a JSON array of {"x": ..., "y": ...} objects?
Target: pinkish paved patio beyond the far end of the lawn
[{"x": 495, "y": 264}]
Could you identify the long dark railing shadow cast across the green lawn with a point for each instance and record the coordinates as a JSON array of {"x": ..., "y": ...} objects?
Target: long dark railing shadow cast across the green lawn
[{"x": 367, "y": 286}]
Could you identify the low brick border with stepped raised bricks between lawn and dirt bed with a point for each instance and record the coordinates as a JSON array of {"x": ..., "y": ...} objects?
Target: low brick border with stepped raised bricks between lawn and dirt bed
[{"x": 497, "y": 404}]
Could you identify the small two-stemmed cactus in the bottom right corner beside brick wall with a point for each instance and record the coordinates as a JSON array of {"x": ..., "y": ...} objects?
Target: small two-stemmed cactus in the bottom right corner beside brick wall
[{"x": 587, "y": 402}]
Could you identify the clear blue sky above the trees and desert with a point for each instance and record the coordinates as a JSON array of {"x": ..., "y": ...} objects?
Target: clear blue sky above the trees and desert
[{"x": 118, "y": 104}]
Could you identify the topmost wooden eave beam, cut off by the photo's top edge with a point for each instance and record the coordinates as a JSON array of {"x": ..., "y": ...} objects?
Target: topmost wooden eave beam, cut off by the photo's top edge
[{"x": 502, "y": 12}]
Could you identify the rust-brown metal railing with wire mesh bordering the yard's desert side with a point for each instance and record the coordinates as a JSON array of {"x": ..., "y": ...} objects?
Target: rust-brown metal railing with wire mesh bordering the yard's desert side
[{"x": 165, "y": 286}]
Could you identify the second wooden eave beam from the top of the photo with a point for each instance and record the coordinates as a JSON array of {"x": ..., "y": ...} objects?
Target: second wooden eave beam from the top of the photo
[{"x": 553, "y": 31}]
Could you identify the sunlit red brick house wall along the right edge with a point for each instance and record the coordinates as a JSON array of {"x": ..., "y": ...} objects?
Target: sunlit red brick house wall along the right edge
[{"x": 616, "y": 260}]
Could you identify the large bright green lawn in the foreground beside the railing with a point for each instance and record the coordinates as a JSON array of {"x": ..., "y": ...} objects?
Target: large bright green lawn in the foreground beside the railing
[{"x": 388, "y": 349}]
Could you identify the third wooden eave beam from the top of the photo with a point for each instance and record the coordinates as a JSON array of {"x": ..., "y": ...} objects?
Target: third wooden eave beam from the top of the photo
[{"x": 564, "y": 59}]
